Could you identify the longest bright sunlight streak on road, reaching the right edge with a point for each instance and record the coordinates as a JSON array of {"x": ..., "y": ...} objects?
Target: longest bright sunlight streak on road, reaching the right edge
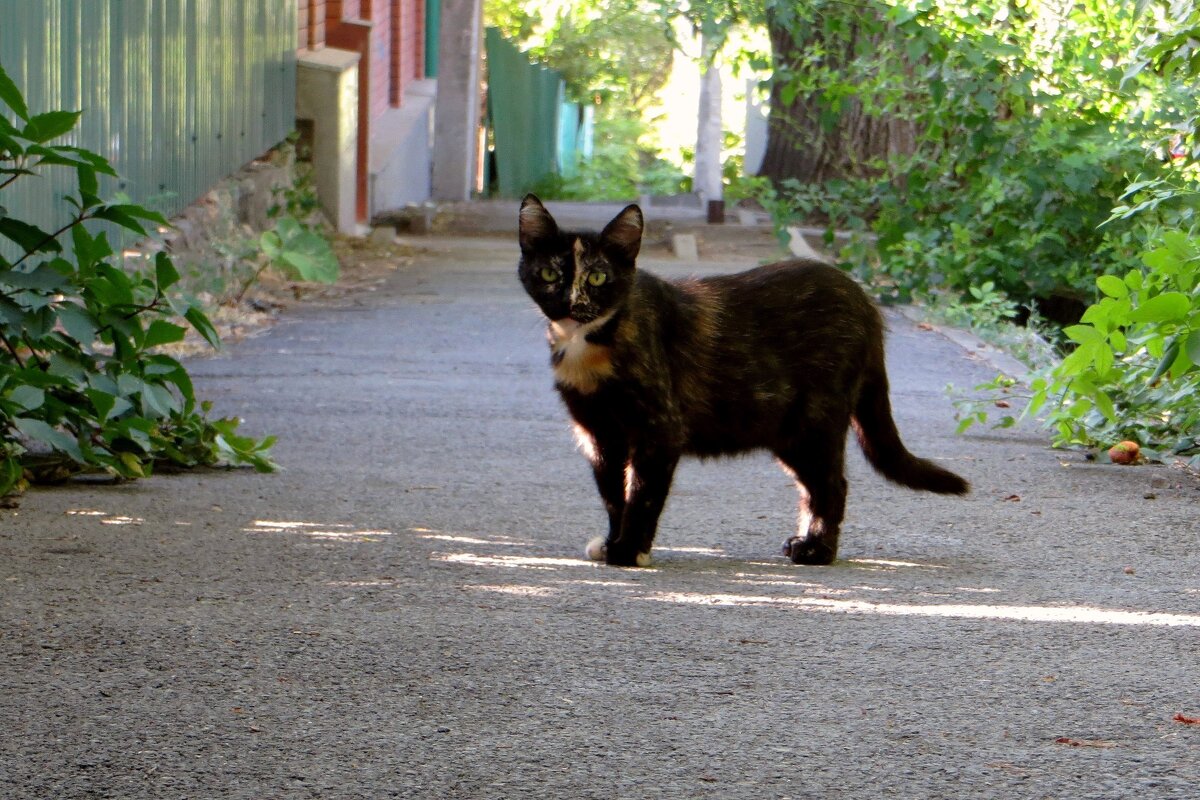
[{"x": 1089, "y": 615}]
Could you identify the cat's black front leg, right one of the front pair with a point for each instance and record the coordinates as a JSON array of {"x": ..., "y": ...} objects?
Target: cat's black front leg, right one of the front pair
[{"x": 647, "y": 484}]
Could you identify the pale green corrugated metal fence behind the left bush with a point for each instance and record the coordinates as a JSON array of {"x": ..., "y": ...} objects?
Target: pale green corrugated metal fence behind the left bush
[{"x": 177, "y": 93}]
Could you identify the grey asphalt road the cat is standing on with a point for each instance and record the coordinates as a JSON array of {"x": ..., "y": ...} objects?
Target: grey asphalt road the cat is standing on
[{"x": 406, "y": 611}]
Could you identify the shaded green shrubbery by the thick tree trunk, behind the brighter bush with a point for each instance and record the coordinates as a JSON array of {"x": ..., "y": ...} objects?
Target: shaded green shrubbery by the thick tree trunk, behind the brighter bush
[{"x": 1023, "y": 142}]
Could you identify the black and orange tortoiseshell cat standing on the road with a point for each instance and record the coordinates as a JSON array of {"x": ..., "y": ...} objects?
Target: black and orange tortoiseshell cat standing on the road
[{"x": 783, "y": 358}]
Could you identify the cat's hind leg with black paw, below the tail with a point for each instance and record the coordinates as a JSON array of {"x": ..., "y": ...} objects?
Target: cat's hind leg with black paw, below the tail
[{"x": 818, "y": 465}]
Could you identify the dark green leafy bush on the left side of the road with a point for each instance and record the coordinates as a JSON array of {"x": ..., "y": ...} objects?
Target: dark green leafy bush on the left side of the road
[{"x": 82, "y": 383}]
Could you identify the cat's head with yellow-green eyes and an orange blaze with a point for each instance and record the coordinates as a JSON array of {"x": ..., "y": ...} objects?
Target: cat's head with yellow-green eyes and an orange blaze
[{"x": 580, "y": 276}]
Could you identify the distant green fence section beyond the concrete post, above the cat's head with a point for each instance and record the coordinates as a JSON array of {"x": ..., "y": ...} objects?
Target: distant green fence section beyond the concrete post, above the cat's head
[{"x": 536, "y": 133}]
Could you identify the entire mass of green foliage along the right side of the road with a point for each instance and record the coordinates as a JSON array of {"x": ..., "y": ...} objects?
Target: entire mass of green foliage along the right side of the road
[{"x": 1054, "y": 148}]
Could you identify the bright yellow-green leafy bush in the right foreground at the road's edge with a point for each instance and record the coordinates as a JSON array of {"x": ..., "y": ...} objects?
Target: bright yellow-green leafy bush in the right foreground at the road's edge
[{"x": 1131, "y": 372}]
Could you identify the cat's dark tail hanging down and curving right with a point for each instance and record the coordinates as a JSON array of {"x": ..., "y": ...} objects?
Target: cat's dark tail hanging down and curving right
[{"x": 881, "y": 444}]
